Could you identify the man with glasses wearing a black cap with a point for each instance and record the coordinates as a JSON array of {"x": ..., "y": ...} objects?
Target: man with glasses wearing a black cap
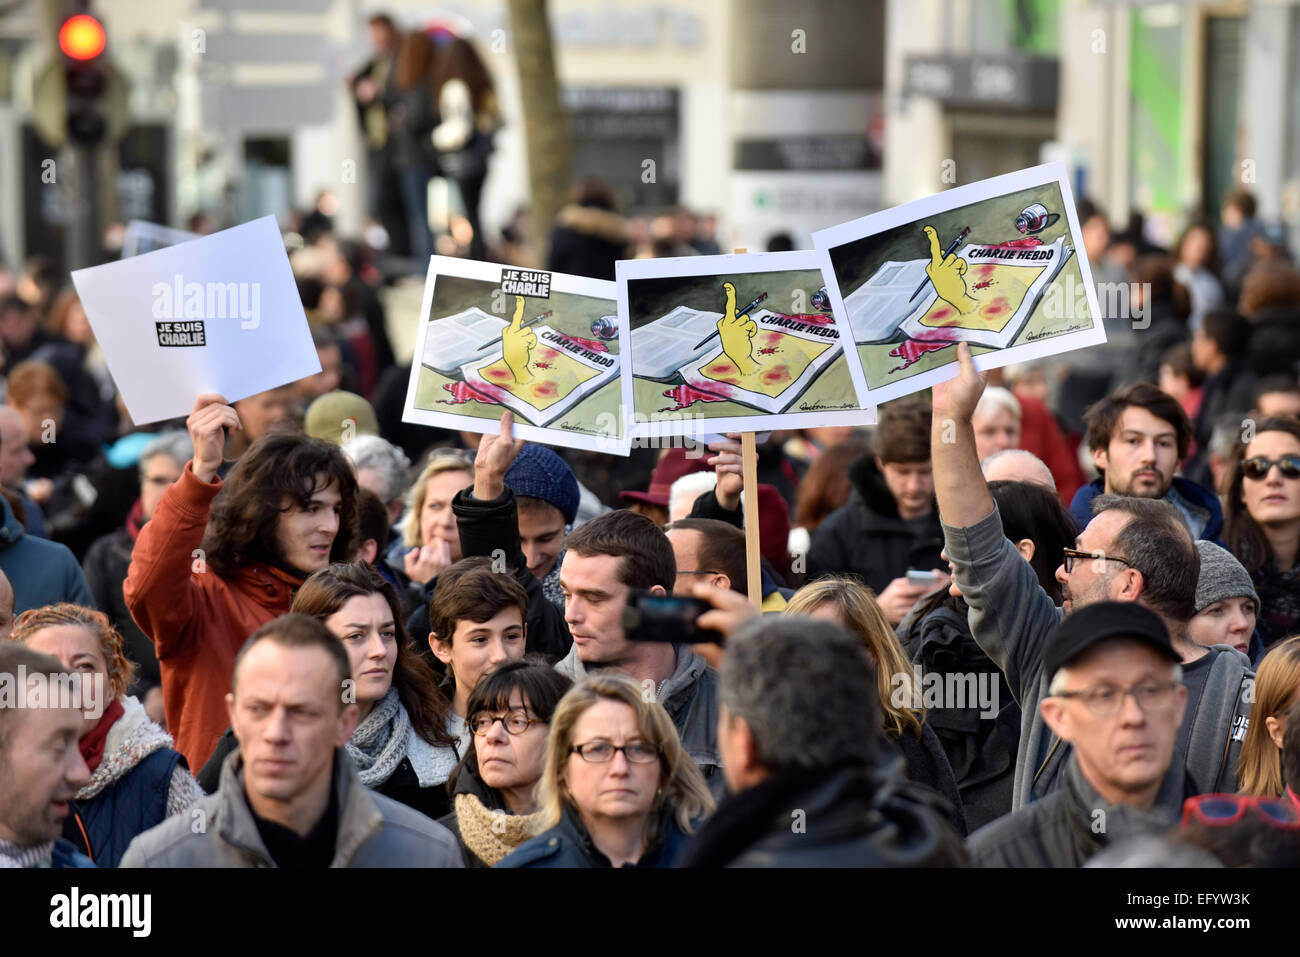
[{"x": 1116, "y": 695}]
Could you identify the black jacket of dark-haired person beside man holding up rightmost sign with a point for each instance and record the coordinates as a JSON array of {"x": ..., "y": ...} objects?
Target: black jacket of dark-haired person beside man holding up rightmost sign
[{"x": 982, "y": 752}]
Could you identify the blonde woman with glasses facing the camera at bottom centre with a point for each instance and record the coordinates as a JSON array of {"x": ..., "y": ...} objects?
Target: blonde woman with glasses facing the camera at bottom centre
[{"x": 617, "y": 790}]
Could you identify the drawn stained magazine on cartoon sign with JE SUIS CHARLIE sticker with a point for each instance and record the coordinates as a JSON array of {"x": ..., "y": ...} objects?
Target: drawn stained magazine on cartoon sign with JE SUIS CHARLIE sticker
[{"x": 564, "y": 373}]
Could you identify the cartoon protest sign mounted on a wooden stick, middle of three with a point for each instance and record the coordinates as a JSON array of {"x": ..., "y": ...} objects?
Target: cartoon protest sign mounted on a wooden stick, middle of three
[{"x": 742, "y": 343}]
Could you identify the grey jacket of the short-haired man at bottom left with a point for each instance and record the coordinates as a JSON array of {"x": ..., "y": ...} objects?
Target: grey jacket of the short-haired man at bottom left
[{"x": 220, "y": 832}]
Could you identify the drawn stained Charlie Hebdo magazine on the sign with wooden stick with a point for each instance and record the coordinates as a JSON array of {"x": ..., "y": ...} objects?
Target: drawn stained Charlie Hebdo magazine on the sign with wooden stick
[{"x": 790, "y": 354}]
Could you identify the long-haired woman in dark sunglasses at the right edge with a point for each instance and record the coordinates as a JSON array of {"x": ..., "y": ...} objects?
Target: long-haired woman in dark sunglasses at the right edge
[{"x": 1263, "y": 522}]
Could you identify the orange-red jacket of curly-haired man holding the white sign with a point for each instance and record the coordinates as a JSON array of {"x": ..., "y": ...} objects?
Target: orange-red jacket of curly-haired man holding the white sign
[{"x": 197, "y": 621}]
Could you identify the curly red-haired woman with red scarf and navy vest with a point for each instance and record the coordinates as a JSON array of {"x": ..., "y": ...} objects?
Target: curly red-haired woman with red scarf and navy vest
[{"x": 138, "y": 780}]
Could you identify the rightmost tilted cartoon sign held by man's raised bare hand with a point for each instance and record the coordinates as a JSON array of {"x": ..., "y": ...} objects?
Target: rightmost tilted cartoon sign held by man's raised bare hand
[{"x": 998, "y": 265}]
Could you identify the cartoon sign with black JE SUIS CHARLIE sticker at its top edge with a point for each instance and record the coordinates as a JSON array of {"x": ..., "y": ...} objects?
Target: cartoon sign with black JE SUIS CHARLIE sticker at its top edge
[{"x": 547, "y": 347}]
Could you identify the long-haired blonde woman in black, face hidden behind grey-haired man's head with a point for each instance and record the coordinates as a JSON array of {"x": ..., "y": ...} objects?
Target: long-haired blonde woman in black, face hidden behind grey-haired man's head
[{"x": 850, "y": 604}]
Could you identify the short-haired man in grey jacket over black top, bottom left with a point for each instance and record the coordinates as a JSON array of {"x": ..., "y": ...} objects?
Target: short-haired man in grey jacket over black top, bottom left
[{"x": 291, "y": 796}]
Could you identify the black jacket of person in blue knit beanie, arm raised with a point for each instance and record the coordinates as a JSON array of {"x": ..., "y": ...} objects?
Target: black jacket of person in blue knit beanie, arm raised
[{"x": 492, "y": 530}]
